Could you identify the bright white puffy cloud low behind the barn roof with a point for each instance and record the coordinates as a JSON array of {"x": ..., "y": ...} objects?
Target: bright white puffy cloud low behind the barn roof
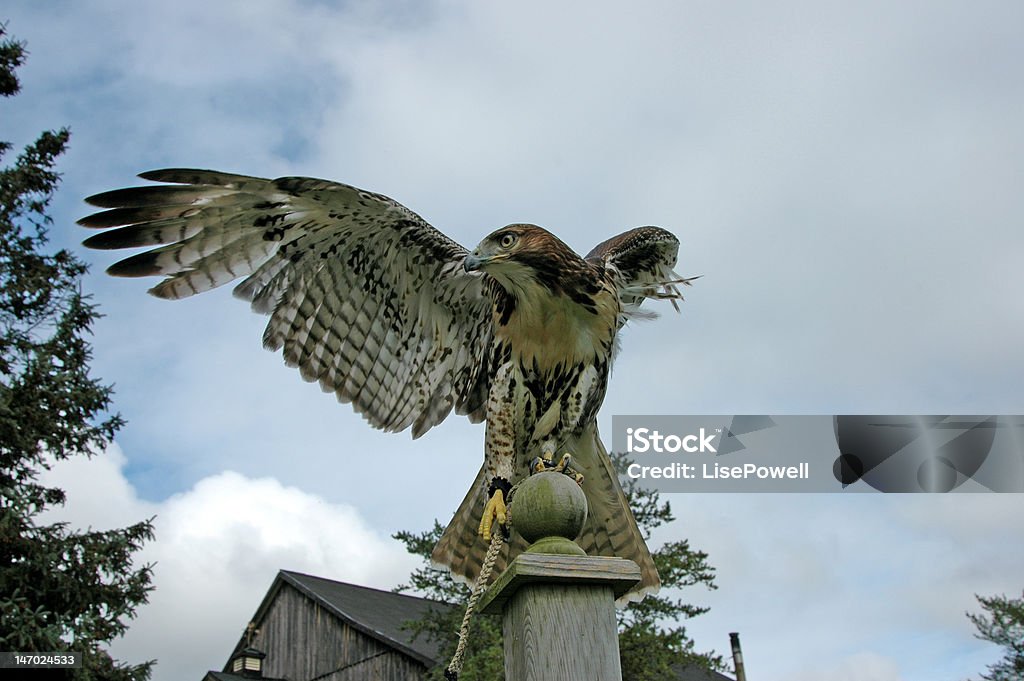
[{"x": 219, "y": 547}]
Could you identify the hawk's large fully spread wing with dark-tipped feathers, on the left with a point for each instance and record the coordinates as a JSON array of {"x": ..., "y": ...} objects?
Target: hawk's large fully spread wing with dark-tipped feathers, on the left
[{"x": 364, "y": 296}]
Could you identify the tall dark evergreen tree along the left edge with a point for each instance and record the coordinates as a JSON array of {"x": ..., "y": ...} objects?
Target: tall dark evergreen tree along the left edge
[{"x": 61, "y": 590}]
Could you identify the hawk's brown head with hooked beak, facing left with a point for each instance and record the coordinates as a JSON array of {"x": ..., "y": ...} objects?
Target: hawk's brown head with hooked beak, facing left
[{"x": 522, "y": 257}]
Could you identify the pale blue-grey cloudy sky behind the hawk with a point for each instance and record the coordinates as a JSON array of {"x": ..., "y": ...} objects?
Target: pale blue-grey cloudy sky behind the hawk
[{"x": 846, "y": 177}]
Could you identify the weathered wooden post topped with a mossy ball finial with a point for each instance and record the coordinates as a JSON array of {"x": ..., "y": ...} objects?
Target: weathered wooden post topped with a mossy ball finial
[{"x": 558, "y": 603}]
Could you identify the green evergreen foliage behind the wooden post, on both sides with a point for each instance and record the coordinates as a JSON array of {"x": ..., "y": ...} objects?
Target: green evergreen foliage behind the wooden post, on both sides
[{"x": 653, "y": 643}]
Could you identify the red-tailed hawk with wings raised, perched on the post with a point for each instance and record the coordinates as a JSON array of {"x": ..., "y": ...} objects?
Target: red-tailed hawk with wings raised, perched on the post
[{"x": 390, "y": 315}]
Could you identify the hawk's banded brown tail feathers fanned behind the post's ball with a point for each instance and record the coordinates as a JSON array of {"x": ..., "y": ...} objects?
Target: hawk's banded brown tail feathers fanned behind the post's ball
[{"x": 611, "y": 529}]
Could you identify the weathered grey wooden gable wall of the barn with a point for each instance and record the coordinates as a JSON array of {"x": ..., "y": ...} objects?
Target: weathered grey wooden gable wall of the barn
[{"x": 304, "y": 643}]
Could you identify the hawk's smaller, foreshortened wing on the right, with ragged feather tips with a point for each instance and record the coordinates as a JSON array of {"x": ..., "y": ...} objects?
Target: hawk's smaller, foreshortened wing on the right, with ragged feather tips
[{"x": 642, "y": 264}]
